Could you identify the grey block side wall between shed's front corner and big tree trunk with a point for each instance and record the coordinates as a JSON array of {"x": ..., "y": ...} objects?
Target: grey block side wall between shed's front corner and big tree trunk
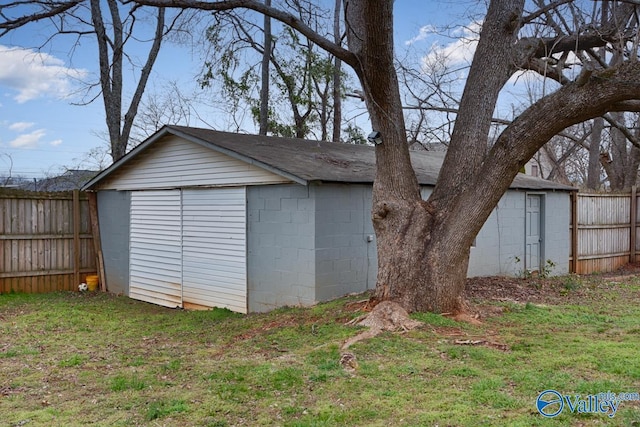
[{"x": 344, "y": 238}]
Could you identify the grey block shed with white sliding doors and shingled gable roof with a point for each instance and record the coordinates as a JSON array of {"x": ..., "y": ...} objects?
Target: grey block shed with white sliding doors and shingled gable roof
[{"x": 198, "y": 218}]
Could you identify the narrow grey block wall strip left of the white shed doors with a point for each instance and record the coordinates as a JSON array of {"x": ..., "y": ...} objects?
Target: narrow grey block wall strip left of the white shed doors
[{"x": 113, "y": 215}]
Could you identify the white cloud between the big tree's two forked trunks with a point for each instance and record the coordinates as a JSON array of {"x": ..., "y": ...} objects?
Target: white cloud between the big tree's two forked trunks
[{"x": 459, "y": 52}]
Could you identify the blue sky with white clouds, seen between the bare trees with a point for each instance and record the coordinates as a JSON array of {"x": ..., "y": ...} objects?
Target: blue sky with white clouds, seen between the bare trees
[{"x": 42, "y": 131}]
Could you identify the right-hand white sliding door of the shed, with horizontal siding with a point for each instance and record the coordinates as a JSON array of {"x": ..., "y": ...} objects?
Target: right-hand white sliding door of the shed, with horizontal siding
[{"x": 214, "y": 248}]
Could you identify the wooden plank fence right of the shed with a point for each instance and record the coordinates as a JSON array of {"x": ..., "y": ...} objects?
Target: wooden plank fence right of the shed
[{"x": 605, "y": 237}]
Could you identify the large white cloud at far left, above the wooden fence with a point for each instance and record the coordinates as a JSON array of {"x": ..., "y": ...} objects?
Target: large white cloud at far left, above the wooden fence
[{"x": 34, "y": 74}]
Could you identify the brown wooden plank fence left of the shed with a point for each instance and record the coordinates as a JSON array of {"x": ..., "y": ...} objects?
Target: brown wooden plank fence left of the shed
[{"x": 46, "y": 241}]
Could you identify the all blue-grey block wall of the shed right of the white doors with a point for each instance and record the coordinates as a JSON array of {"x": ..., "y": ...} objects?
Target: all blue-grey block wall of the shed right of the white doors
[{"x": 310, "y": 244}]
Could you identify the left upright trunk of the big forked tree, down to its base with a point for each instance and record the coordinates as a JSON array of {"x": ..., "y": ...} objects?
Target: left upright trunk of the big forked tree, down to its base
[{"x": 400, "y": 219}]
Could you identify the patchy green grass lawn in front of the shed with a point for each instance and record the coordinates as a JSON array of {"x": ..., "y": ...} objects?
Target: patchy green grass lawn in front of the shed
[{"x": 73, "y": 359}]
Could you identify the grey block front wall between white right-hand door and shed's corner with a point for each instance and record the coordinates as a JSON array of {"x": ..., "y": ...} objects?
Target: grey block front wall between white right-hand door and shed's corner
[{"x": 280, "y": 246}]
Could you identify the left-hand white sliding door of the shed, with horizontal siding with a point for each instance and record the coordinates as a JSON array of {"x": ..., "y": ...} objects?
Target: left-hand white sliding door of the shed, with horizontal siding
[{"x": 155, "y": 260}]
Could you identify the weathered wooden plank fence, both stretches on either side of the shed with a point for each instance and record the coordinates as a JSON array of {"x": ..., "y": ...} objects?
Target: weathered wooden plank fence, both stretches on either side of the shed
[{"x": 48, "y": 242}]
